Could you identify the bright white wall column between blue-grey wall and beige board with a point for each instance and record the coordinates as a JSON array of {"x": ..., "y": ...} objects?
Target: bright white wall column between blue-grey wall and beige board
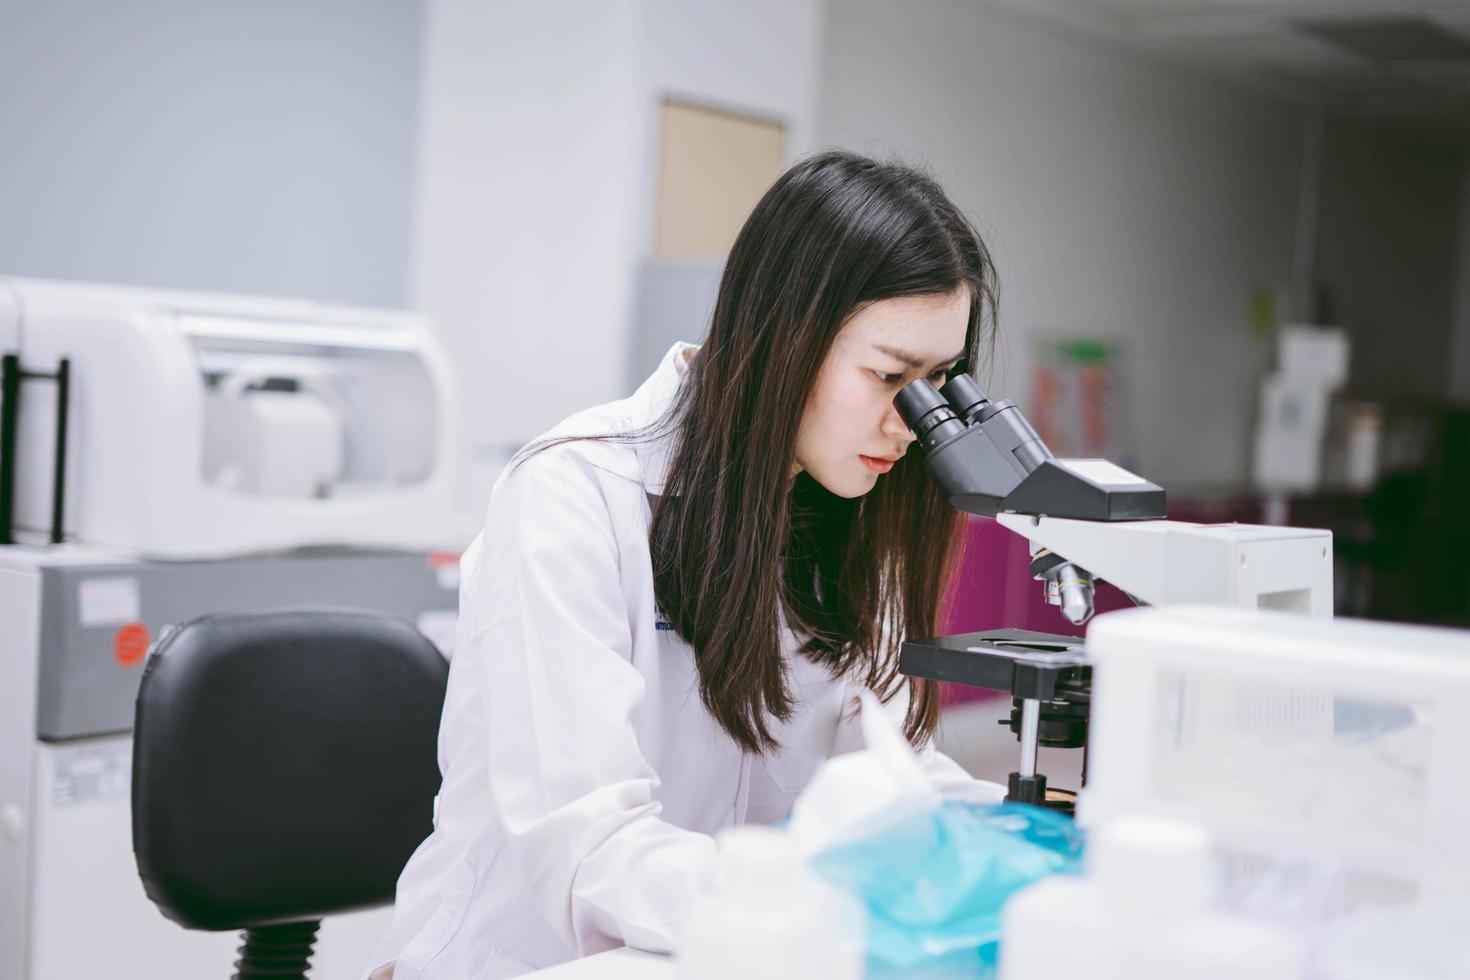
[{"x": 526, "y": 224}]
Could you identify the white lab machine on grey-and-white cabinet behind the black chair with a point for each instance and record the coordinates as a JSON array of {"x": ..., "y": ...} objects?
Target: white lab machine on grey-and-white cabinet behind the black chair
[{"x": 165, "y": 456}]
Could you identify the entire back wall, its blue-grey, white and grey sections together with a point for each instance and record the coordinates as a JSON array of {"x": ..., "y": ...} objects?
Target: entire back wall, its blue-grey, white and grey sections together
[{"x": 508, "y": 189}]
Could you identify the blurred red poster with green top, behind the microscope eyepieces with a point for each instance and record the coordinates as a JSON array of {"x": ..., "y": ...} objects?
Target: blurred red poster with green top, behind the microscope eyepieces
[{"x": 1078, "y": 405}]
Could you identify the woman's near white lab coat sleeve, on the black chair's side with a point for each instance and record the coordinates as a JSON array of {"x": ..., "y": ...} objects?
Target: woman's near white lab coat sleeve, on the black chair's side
[{"x": 553, "y": 647}]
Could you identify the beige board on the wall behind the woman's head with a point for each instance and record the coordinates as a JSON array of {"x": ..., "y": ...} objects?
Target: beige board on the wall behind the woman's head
[{"x": 714, "y": 167}]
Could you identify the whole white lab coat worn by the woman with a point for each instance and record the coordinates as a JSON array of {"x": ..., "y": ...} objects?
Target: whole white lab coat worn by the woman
[{"x": 583, "y": 775}]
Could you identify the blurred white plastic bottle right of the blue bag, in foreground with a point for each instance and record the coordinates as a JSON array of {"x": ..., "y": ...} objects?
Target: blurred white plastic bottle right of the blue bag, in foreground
[{"x": 1140, "y": 913}]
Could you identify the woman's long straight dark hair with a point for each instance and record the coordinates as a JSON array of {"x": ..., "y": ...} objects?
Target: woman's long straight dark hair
[{"x": 736, "y": 543}]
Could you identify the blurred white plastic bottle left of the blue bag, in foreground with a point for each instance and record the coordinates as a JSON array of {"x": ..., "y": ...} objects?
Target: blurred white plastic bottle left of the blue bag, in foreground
[{"x": 770, "y": 918}]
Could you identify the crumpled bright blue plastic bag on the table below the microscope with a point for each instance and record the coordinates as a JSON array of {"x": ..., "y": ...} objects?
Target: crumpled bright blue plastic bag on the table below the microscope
[{"x": 934, "y": 885}]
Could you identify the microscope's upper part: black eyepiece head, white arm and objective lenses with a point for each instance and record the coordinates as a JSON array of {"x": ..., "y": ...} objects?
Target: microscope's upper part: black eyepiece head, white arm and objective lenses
[{"x": 1090, "y": 519}]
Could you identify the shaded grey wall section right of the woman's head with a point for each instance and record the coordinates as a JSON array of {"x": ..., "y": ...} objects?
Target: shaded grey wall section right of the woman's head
[{"x": 1121, "y": 199}]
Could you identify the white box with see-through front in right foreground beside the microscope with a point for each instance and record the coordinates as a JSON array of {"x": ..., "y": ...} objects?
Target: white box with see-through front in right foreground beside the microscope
[{"x": 1327, "y": 760}]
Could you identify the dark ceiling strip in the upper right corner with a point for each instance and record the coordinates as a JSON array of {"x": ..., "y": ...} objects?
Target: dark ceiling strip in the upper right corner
[{"x": 1400, "y": 62}]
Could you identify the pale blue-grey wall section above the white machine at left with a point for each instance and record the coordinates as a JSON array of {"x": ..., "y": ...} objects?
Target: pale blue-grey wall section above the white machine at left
[{"x": 211, "y": 145}]
